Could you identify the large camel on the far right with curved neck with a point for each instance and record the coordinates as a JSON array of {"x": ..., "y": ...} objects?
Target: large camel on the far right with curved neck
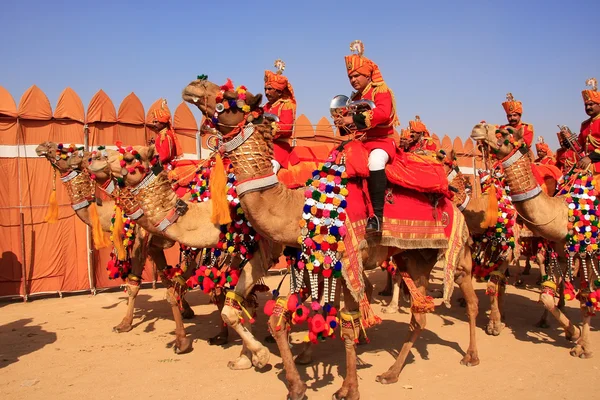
[{"x": 545, "y": 216}]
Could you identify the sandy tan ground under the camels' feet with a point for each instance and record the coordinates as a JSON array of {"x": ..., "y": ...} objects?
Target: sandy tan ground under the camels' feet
[{"x": 64, "y": 348}]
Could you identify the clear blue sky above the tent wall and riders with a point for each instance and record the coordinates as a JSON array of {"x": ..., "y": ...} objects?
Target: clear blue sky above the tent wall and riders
[{"x": 451, "y": 62}]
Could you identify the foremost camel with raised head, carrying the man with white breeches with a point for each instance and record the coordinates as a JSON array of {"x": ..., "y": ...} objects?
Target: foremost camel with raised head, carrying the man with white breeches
[{"x": 275, "y": 211}]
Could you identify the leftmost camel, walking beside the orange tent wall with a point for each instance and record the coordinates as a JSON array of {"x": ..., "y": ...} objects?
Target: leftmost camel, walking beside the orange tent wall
[{"x": 145, "y": 243}]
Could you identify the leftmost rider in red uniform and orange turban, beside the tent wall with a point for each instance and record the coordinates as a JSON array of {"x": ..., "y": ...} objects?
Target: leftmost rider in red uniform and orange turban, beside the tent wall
[{"x": 166, "y": 143}]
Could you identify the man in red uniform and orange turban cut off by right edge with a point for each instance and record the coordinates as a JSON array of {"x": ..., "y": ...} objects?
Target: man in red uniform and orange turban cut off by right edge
[{"x": 589, "y": 136}]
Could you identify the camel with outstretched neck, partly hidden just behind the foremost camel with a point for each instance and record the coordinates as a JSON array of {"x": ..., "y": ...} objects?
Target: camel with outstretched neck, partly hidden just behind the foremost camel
[{"x": 192, "y": 227}]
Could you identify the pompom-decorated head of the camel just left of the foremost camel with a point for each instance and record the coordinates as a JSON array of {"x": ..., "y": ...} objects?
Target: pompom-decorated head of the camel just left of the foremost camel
[{"x": 131, "y": 164}]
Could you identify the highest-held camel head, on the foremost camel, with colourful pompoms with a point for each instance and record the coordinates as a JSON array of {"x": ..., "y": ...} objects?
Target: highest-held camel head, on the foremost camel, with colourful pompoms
[{"x": 223, "y": 106}]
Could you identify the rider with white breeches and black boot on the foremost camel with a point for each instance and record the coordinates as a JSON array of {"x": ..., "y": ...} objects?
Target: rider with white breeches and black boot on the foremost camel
[{"x": 376, "y": 125}]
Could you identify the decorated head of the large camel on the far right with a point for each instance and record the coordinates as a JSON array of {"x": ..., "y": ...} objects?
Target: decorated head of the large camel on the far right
[{"x": 501, "y": 142}]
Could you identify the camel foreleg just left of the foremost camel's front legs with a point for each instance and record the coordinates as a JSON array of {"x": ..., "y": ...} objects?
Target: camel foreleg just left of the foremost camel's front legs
[{"x": 253, "y": 352}]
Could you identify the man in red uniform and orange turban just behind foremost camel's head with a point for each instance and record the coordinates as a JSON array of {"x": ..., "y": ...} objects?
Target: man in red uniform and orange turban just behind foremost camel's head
[{"x": 281, "y": 102}]
